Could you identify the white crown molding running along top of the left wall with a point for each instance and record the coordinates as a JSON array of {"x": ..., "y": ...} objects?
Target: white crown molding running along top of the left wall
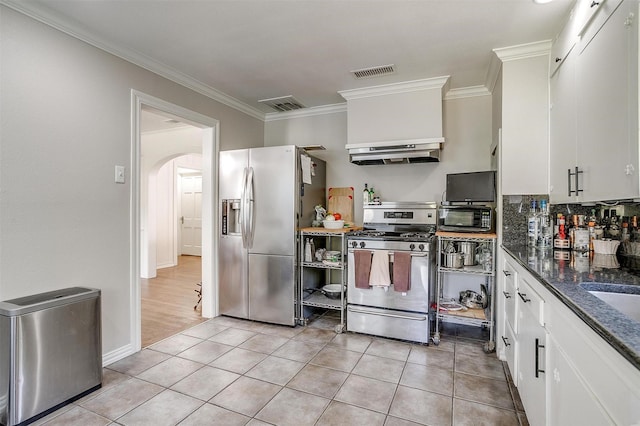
[{"x": 55, "y": 21}]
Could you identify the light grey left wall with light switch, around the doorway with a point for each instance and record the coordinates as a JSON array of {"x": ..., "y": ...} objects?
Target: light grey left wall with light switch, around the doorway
[{"x": 66, "y": 122}]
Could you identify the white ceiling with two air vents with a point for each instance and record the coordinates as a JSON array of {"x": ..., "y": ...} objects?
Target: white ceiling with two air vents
[{"x": 247, "y": 50}]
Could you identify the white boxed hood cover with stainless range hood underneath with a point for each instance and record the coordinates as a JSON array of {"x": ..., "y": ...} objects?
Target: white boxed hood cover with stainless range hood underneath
[{"x": 399, "y": 123}]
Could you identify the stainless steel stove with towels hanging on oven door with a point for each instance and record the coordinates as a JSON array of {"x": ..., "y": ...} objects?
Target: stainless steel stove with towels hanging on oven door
[{"x": 407, "y": 227}]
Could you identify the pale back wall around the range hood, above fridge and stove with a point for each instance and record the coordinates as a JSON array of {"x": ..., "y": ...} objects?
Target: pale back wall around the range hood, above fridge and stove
[{"x": 468, "y": 134}]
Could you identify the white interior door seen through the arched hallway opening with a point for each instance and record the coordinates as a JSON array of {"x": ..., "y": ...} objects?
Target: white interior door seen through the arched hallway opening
[{"x": 191, "y": 220}]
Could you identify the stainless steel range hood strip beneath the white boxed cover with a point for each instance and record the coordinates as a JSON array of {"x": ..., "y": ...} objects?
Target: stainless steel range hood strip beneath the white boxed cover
[{"x": 395, "y": 152}]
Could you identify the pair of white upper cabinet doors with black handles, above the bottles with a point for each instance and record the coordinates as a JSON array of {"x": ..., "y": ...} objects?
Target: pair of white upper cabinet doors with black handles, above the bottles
[{"x": 594, "y": 111}]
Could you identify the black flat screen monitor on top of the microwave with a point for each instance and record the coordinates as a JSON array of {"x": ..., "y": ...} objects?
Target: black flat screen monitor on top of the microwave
[{"x": 474, "y": 187}]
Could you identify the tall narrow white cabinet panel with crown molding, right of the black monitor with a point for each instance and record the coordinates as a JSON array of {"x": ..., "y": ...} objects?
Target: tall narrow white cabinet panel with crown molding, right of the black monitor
[{"x": 524, "y": 149}]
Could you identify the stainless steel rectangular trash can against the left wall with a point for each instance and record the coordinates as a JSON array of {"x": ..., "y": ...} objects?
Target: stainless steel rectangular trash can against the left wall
[{"x": 50, "y": 352}]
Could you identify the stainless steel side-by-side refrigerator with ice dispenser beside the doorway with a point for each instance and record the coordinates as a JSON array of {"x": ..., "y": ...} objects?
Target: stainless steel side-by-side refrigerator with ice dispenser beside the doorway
[{"x": 263, "y": 201}]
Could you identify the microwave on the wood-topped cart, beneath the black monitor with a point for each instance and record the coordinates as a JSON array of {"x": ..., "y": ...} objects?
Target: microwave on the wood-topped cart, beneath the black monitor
[{"x": 466, "y": 218}]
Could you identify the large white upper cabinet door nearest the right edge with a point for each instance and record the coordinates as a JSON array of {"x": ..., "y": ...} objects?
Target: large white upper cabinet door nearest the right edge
[{"x": 607, "y": 99}]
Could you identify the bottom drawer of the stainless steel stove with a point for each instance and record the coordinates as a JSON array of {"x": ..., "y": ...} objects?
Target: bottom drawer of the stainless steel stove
[{"x": 389, "y": 323}]
